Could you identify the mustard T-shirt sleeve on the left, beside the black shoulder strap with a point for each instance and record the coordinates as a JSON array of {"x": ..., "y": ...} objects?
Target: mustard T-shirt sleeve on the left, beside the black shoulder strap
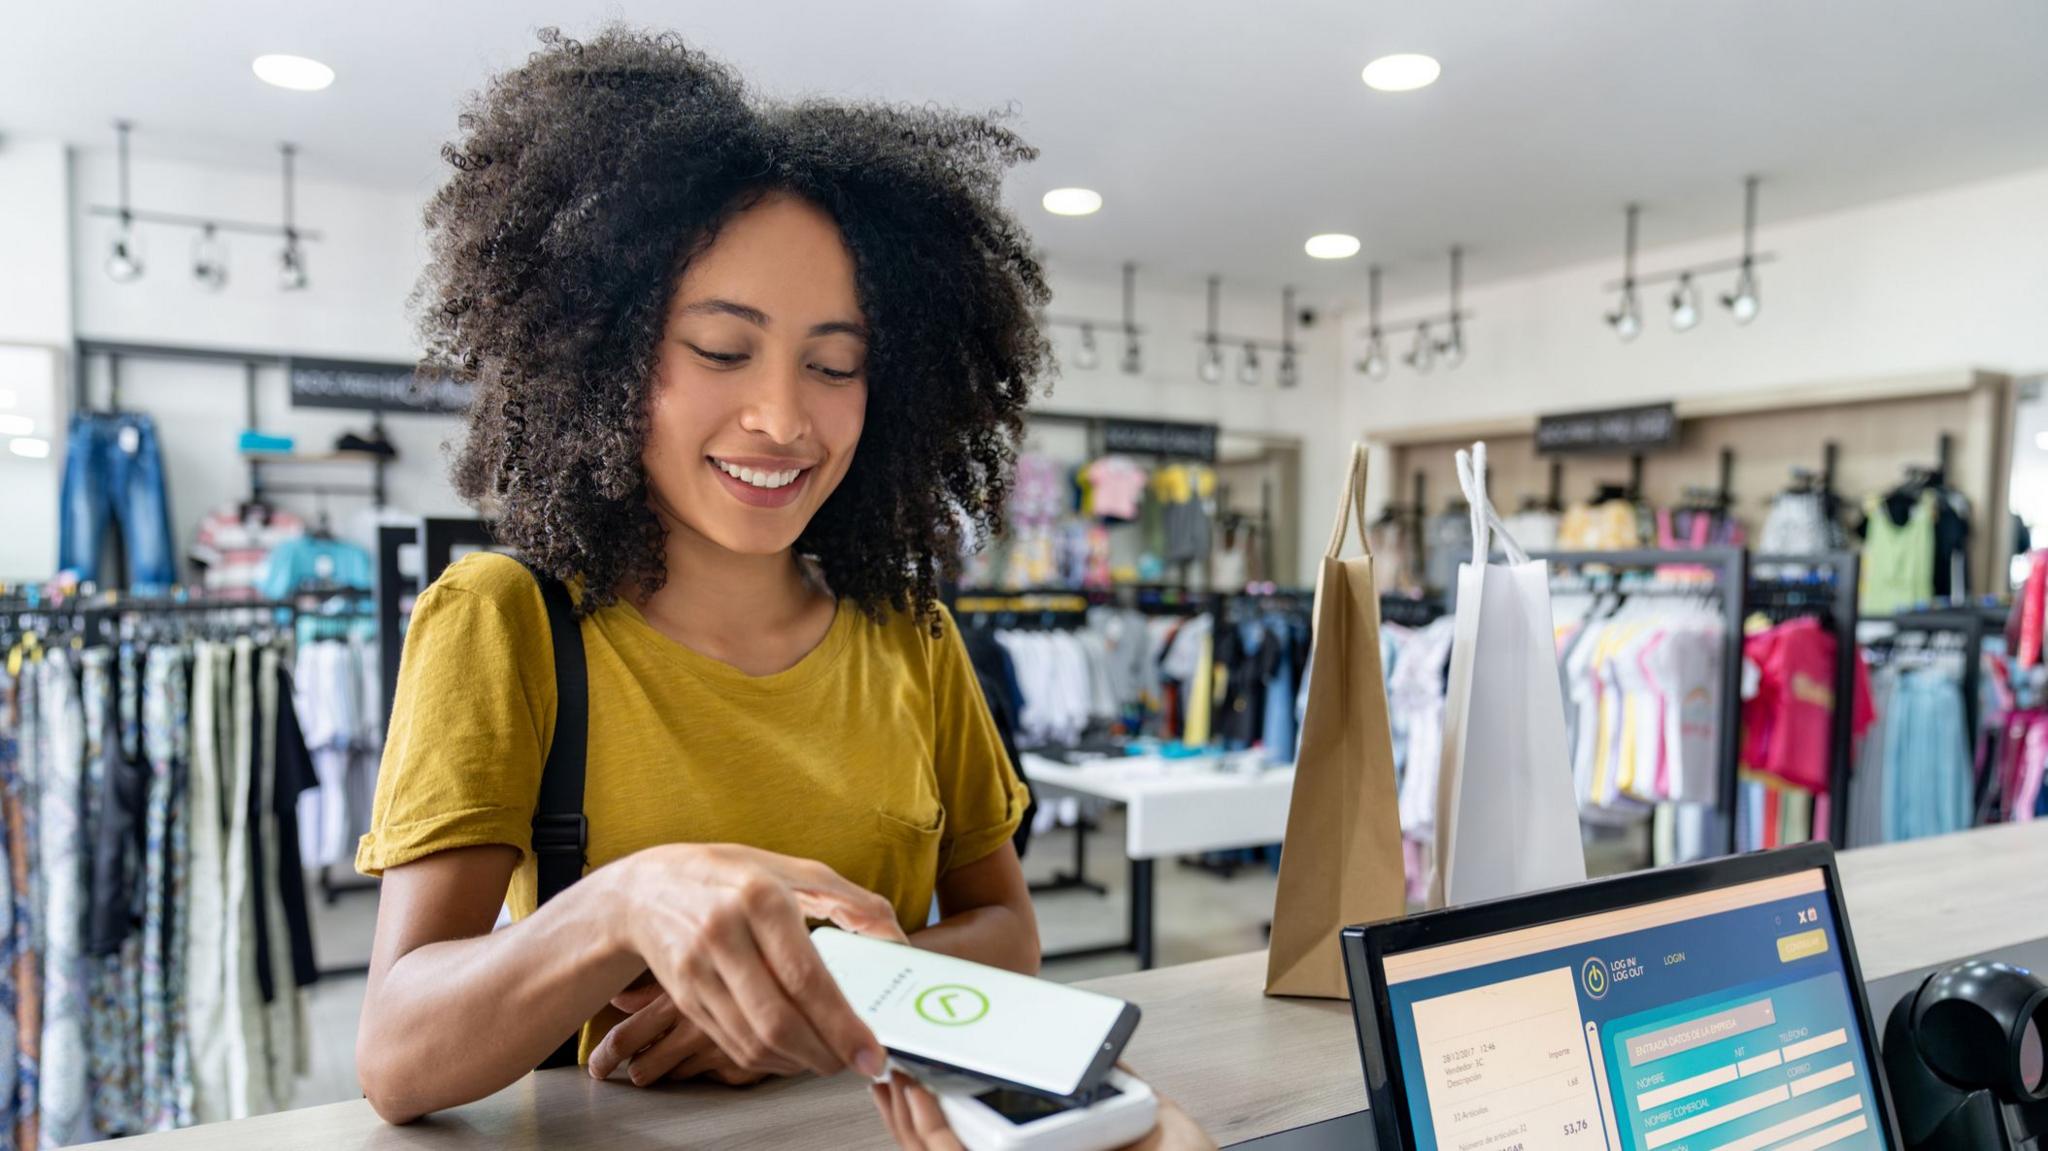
[{"x": 470, "y": 720}]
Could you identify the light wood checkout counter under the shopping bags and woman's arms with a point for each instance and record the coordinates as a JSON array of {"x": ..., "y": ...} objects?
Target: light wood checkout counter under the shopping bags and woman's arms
[{"x": 1238, "y": 1062}]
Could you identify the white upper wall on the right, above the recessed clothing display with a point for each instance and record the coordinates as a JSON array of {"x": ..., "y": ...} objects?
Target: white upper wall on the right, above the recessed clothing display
[{"x": 1955, "y": 280}]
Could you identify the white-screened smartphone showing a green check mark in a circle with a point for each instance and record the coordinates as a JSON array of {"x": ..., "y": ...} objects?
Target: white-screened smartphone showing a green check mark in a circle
[{"x": 982, "y": 1021}]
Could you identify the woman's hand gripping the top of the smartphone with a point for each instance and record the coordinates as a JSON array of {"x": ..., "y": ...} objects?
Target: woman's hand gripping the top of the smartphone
[{"x": 724, "y": 933}]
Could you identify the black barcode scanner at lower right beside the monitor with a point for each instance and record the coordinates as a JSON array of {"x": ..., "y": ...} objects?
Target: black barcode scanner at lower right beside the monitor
[{"x": 1967, "y": 1064}]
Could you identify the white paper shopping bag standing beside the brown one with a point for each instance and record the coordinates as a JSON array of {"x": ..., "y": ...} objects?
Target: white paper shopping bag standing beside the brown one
[{"x": 1506, "y": 820}]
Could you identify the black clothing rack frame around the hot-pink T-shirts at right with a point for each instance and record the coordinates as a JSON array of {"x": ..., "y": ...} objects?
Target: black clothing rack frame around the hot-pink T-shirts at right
[{"x": 1793, "y": 587}]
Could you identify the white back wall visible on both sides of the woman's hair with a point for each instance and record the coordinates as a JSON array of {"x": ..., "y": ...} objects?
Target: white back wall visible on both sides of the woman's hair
[{"x": 366, "y": 267}]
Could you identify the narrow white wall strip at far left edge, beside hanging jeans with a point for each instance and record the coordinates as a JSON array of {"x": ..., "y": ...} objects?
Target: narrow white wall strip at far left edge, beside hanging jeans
[{"x": 36, "y": 327}]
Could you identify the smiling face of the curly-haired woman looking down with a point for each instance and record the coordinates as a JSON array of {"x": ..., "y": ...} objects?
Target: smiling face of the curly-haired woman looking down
[{"x": 761, "y": 382}]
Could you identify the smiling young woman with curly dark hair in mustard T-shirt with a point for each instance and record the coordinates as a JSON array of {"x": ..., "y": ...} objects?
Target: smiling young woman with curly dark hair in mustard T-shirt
[{"x": 744, "y": 376}]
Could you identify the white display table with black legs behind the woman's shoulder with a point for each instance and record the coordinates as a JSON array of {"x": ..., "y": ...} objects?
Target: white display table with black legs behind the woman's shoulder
[{"x": 1172, "y": 808}]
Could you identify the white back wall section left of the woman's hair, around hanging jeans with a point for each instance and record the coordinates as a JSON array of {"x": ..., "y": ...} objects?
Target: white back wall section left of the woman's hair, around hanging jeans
[{"x": 353, "y": 308}]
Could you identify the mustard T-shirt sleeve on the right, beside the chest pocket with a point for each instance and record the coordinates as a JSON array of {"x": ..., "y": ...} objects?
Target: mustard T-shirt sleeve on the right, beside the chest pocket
[{"x": 978, "y": 785}]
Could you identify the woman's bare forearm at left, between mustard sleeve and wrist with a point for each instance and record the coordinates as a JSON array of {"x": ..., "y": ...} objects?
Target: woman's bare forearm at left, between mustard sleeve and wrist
[{"x": 456, "y": 1021}]
